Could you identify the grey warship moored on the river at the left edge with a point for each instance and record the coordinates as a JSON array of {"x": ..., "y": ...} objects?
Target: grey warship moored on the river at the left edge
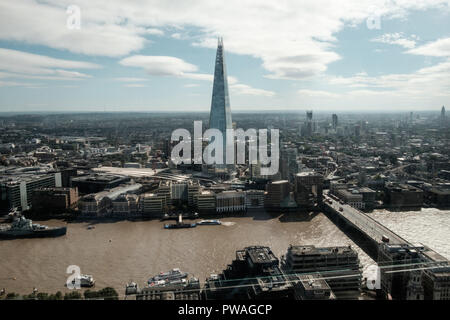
[{"x": 25, "y": 228}]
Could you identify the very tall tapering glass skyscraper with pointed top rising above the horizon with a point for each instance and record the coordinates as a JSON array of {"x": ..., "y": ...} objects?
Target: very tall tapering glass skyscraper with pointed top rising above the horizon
[{"x": 220, "y": 115}]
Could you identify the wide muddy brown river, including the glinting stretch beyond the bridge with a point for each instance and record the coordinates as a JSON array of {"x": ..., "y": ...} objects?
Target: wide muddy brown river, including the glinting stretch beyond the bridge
[{"x": 117, "y": 252}]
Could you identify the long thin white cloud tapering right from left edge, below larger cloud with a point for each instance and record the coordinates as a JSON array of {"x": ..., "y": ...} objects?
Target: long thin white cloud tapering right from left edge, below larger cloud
[{"x": 19, "y": 64}]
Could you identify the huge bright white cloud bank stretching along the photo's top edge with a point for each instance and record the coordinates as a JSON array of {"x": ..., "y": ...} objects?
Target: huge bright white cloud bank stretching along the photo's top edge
[{"x": 293, "y": 39}]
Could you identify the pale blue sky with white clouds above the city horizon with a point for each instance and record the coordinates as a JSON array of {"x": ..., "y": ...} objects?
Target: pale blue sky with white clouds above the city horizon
[{"x": 136, "y": 55}]
